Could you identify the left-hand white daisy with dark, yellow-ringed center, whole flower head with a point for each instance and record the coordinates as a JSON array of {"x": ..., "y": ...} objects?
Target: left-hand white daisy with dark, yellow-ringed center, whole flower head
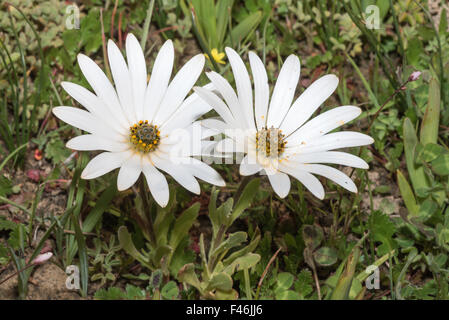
[{"x": 137, "y": 123}]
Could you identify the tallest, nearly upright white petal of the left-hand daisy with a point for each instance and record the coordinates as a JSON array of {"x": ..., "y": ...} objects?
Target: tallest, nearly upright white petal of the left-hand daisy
[{"x": 138, "y": 71}]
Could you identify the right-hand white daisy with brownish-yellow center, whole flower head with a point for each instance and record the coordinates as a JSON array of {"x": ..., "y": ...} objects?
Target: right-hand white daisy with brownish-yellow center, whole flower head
[{"x": 275, "y": 136}]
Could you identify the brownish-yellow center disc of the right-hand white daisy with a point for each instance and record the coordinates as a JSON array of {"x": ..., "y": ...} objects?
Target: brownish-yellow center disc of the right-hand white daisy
[{"x": 270, "y": 142}]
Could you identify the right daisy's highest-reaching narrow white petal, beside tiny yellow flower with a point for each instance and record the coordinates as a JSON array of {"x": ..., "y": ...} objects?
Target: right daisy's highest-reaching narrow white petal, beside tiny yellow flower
[{"x": 243, "y": 84}]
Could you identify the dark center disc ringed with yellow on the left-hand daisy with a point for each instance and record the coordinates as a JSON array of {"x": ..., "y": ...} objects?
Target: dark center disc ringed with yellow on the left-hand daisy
[{"x": 145, "y": 137}]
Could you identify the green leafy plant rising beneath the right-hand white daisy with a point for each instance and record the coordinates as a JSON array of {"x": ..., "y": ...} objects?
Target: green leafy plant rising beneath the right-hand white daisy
[{"x": 226, "y": 255}]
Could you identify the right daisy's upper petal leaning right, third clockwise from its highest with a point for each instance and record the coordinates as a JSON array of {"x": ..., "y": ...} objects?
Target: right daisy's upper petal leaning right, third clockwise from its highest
[{"x": 284, "y": 91}]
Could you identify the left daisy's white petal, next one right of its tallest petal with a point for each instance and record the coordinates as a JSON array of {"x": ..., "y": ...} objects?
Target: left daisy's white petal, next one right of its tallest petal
[{"x": 160, "y": 76}]
